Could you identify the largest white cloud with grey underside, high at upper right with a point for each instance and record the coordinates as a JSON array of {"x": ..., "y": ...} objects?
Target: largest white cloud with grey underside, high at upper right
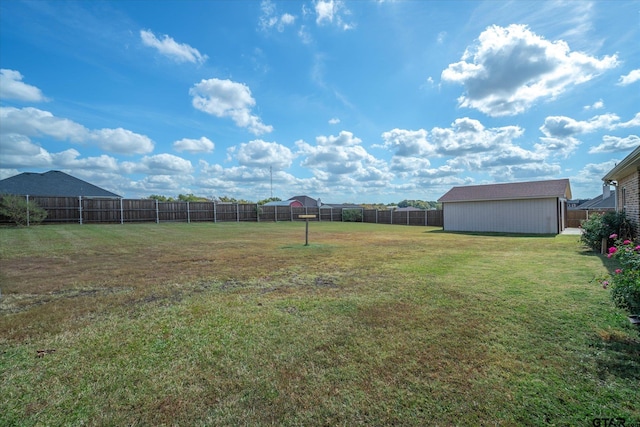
[{"x": 511, "y": 68}]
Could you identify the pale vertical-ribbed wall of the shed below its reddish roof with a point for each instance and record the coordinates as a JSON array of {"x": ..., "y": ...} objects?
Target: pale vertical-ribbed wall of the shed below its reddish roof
[{"x": 535, "y": 216}]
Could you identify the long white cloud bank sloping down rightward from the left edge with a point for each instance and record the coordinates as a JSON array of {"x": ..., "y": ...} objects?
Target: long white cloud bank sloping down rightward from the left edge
[{"x": 33, "y": 122}]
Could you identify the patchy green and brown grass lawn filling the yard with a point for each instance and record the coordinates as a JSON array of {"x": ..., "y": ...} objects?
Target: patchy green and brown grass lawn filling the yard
[{"x": 241, "y": 324}]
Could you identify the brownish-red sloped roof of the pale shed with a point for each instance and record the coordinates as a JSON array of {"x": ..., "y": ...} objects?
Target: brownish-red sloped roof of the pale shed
[{"x": 509, "y": 191}]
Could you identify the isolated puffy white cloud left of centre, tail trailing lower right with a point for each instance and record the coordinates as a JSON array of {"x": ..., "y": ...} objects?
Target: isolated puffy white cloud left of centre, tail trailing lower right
[{"x": 225, "y": 98}]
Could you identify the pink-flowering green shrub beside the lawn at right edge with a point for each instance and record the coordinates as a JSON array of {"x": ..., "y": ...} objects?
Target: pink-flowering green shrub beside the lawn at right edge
[{"x": 625, "y": 282}]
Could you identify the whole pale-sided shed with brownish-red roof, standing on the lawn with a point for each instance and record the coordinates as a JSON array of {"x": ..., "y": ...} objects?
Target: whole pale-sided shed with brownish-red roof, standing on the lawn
[{"x": 535, "y": 207}]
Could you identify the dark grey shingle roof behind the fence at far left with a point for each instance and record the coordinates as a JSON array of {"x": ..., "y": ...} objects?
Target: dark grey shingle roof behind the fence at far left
[{"x": 52, "y": 184}]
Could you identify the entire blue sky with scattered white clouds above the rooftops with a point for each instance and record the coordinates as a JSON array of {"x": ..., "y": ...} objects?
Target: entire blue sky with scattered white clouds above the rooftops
[{"x": 349, "y": 101}]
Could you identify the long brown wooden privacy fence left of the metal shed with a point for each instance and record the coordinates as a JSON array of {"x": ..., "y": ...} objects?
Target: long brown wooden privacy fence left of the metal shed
[{"x": 85, "y": 210}]
